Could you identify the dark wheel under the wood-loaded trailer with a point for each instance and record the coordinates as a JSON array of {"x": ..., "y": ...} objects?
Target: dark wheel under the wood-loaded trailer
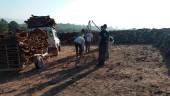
[{"x": 38, "y": 61}]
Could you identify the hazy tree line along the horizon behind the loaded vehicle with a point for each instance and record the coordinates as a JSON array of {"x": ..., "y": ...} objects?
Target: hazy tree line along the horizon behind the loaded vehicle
[{"x": 13, "y": 26}]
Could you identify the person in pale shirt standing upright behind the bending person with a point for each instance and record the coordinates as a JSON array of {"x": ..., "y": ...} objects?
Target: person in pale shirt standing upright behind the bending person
[{"x": 88, "y": 39}]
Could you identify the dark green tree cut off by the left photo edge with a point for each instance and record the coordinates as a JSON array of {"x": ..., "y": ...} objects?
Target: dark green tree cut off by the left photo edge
[{"x": 3, "y": 26}]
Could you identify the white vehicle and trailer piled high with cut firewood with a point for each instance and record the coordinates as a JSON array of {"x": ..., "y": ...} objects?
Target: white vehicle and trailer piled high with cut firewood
[{"x": 24, "y": 48}]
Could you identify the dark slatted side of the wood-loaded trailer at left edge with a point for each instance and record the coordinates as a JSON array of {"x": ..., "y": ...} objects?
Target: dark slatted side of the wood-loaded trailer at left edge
[{"x": 9, "y": 53}]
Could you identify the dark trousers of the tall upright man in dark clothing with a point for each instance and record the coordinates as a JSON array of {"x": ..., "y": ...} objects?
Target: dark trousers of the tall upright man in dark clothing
[{"x": 103, "y": 53}]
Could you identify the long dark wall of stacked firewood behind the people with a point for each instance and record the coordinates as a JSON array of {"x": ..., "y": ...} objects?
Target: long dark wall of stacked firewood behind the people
[{"x": 157, "y": 37}]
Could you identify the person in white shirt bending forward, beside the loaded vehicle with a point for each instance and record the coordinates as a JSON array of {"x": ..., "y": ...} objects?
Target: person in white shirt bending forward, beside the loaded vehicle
[{"x": 79, "y": 45}]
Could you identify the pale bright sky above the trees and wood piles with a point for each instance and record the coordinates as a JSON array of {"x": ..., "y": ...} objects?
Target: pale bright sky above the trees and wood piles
[{"x": 115, "y": 13}]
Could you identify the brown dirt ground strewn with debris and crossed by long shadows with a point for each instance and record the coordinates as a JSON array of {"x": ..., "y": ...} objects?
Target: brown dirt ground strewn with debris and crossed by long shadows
[{"x": 135, "y": 70}]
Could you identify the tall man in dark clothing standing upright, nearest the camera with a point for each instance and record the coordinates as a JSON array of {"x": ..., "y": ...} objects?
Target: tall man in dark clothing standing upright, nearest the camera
[{"x": 103, "y": 46}]
